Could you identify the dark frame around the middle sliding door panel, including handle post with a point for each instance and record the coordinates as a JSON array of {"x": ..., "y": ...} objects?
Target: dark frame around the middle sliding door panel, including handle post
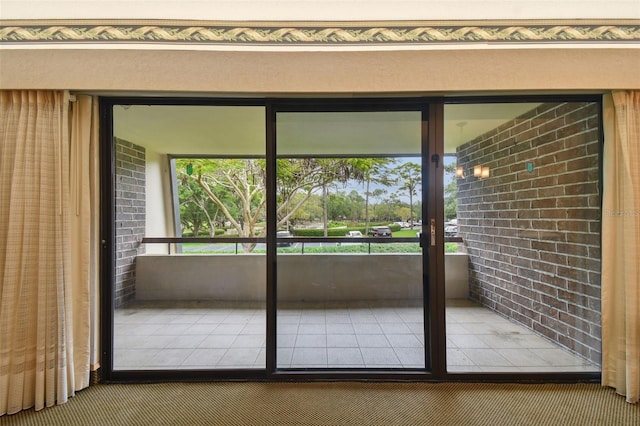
[{"x": 433, "y": 328}]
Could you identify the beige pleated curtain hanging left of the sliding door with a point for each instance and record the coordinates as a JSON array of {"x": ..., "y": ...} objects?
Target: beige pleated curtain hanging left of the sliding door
[{"x": 47, "y": 286}]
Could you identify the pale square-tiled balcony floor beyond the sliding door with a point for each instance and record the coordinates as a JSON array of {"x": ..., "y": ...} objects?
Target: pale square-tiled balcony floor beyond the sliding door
[{"x": 336, "y": 336}]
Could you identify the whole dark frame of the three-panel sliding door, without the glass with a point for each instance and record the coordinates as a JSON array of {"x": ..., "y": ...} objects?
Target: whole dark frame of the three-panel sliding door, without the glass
[{"x": 434, "y": 294}]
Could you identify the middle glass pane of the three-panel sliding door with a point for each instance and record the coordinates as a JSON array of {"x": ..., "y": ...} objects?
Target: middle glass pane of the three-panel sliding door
[{"x": 349, "y": 263}]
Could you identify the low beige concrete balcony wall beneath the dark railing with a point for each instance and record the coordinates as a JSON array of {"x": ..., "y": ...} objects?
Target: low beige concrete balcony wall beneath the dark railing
[{"x": 309, "y": 277}]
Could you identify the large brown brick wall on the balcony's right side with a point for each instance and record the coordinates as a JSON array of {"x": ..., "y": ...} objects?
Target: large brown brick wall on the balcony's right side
[{"x": 533, "y": 237}]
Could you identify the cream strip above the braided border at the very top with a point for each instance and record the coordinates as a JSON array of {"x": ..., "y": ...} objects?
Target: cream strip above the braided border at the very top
[{"x": 356, "y": 10}]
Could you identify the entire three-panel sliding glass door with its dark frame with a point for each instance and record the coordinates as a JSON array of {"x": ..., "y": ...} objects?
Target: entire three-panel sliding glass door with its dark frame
[{"x": 338, "y": 238}]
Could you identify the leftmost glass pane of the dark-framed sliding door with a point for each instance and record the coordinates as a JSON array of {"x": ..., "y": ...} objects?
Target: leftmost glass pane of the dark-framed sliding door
[{"x": 190, "y": 244}]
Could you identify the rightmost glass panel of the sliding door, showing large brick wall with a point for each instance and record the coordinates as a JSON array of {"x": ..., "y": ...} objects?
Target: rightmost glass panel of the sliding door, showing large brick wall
[{"x": 522, "y": 261}]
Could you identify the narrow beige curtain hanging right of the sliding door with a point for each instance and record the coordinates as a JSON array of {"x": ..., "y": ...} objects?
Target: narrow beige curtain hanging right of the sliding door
[{"x": 621, "y": 245}]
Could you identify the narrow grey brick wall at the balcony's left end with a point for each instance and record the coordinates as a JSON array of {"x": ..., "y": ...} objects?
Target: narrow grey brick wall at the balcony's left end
[{"x": 130, "y": 217}]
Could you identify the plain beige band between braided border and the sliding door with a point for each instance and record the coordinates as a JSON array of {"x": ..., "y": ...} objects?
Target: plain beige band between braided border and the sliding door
[{"x": 418, "y": 71}]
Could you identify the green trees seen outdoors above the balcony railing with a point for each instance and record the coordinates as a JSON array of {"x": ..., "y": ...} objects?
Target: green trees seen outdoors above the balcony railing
[{"x": 232, "y": 192}]
